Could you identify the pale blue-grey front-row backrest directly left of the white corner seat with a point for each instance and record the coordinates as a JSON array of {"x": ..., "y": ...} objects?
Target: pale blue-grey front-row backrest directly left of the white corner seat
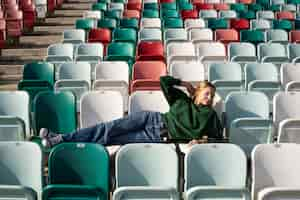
[{"x": 219, "y": 165}]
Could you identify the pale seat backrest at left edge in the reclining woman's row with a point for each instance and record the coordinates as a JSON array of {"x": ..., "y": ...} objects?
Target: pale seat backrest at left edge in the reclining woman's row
[{"x": 16, "y": 104}]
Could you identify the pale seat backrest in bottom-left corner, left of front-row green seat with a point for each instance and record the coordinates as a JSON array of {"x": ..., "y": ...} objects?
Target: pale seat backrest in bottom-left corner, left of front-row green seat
[{"x": 21, "y": 164}]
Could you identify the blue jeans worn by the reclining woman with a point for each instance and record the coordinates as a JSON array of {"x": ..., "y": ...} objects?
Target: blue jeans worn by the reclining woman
[{"x": 140, "y": 127}]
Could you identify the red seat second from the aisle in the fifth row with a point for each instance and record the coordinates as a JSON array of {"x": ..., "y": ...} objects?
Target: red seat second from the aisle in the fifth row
[{"x": 101, "y": 35}]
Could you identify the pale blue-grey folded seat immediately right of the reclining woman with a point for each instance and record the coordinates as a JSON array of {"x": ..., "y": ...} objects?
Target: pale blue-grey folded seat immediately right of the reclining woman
[{"x": 247, "y": 119}]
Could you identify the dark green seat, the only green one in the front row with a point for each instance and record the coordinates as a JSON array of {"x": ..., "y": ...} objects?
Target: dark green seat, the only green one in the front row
[{"x": 77, "y": 183}]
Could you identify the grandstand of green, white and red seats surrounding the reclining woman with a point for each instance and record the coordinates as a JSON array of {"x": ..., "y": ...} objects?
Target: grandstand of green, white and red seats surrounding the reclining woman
[{"x": 69, "y": 64}]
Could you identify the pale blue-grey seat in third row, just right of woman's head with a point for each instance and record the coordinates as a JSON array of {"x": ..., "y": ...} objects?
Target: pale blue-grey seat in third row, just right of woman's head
[{"x": 227, "y": 77}]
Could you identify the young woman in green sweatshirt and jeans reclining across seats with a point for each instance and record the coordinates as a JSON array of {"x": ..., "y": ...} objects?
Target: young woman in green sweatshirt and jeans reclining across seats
[{"x": 189, "y": 118}]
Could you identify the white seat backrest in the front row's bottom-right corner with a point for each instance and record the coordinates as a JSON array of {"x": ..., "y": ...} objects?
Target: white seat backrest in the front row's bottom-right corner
[{"x": 275, "y": 165}]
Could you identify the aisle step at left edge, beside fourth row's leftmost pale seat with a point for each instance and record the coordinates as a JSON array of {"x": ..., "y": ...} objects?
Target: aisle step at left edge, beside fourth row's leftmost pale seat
[{"x": 35, "y": 52}]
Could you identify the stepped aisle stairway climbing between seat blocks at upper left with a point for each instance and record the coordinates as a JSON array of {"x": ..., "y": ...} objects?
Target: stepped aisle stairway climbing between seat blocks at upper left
[{"x": 33, "y": 46}]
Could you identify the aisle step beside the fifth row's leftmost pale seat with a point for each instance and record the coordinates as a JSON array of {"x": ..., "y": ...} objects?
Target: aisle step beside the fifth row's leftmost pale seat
[{"x": 45, "y": 40}]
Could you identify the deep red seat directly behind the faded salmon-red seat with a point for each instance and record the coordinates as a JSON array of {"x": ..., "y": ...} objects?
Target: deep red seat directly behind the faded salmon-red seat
[{"x": 150, "y": 50}]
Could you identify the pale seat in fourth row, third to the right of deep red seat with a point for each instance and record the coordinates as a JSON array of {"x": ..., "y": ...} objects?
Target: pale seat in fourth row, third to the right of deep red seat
[{"x": 241, "y": 52}]
